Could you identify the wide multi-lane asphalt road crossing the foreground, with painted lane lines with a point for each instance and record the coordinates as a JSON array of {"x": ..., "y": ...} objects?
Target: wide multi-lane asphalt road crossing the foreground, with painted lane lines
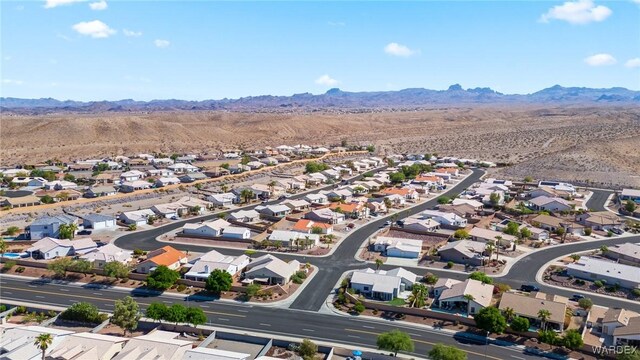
[{"x": 351, "y": 331}]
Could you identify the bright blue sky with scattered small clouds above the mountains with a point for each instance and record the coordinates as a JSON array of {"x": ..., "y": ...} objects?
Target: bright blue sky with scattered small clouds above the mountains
[{"x": 97, "y": 49}]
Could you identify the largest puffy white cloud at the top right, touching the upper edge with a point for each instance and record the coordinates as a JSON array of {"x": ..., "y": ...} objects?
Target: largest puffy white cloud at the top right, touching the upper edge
[{"x": 577, "y": 12}]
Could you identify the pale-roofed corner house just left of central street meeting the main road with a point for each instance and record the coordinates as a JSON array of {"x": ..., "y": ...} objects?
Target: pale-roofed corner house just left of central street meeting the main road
[{"x": 270, "y": 270}]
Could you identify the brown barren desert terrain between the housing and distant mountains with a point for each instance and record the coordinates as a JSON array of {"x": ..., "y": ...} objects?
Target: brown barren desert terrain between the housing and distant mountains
[{"x": 598, "y": 145}]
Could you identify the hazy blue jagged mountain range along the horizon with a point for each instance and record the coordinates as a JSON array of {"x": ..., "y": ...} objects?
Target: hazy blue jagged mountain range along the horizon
[{"x": 337, "y": 99}]
